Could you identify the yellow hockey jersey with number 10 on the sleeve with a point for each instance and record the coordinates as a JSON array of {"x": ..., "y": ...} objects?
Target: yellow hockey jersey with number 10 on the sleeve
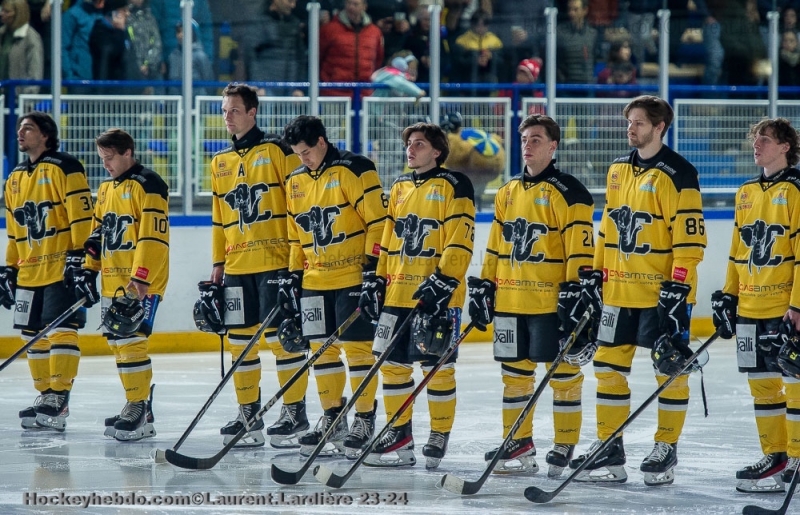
[{"x": 132, "y": 214}]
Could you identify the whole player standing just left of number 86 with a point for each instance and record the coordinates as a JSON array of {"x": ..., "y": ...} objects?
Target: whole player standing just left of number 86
[{"x": 542, "y": 234}]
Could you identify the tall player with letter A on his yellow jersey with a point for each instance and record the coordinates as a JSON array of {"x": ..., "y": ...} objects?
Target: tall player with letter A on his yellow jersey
[{"x": 249, "y": 249}]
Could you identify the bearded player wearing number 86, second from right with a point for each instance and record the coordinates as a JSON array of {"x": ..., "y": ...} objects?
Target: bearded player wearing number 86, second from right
[{"x": 651, "y": 239}]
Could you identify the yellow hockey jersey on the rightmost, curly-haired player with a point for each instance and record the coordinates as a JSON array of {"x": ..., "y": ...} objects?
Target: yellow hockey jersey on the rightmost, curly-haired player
[{"x": 762, "y": 267}]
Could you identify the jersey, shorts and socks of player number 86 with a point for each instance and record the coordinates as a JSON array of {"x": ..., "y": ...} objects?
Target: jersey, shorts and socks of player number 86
[{"x": 652, "y": 230}]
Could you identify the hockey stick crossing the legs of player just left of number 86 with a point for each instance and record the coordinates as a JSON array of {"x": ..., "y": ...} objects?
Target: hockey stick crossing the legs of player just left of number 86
[{"x": 459, "y": 486}]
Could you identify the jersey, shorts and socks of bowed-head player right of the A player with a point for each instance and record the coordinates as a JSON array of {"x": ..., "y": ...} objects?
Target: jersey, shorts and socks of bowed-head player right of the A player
[{"x": 336, "y": 219}]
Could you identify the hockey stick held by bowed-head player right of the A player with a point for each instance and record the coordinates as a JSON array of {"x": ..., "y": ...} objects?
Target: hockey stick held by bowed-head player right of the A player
[{"x": 189, "y": 462}]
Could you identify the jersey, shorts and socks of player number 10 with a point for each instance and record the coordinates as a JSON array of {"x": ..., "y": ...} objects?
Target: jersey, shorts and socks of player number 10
[{"x": 132, "y": 216}]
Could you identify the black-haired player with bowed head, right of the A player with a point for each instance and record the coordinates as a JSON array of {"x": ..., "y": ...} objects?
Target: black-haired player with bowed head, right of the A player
[{"x": 337, "y": 210}]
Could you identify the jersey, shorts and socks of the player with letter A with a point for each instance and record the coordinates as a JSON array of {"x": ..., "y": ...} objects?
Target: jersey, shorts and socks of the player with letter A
[{"x": 249, "y": 238}]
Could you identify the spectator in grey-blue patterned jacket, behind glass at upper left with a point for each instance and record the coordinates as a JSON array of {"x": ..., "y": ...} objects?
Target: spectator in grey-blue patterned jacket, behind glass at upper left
[{"x": 146, "y": 39}]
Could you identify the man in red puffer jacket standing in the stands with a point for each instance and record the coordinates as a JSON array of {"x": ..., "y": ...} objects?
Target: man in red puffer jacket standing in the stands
[{"x": 350, "y": 48}]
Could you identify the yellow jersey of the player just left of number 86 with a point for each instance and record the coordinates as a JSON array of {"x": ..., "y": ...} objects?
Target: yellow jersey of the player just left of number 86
[{"x": 542, "y": 233}]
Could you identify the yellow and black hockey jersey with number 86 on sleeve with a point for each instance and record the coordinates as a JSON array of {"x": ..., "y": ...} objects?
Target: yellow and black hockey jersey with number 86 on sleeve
[{"x": 652, "y": 229}]
